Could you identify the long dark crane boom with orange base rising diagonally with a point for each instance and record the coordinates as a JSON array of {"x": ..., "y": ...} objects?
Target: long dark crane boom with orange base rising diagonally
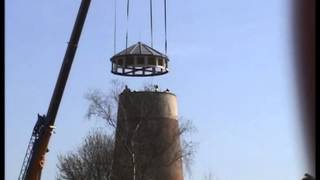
[{"x": 38, "y": 145}]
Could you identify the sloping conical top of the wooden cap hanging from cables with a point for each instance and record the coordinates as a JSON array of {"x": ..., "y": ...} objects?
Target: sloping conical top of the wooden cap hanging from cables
[{"x": 139, "y": 49}]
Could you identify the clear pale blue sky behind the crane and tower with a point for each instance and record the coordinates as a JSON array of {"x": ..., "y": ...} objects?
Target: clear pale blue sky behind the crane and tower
[{"x": 231, "y": 67}]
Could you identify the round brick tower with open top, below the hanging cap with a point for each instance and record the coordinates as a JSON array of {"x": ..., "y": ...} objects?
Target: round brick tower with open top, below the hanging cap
[{"x": 147, "y": 137}]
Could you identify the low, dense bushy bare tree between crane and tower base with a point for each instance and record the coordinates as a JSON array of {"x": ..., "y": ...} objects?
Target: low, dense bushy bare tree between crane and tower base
[{"x": 91, "y": 161}]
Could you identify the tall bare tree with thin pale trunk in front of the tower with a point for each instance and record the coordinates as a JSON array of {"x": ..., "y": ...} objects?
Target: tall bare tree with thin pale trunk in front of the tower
[{"x": 104, "y": 106}]
